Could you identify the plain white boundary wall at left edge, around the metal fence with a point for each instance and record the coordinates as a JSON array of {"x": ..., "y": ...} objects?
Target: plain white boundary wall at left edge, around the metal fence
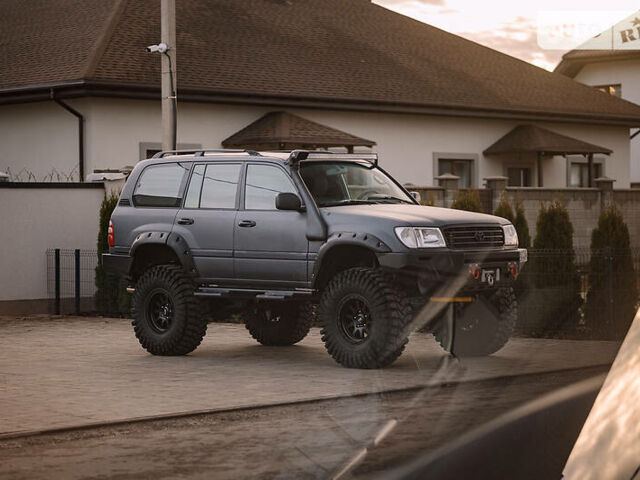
[{"x": 34, "y": 220}]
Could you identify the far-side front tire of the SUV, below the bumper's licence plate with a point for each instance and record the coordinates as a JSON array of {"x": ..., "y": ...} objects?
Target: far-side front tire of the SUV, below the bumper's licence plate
[{"x": 480, "y": 334}]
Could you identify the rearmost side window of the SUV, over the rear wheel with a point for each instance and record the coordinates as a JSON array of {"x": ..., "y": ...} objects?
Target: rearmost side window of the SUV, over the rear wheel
[{"x": 159, "y": 186}]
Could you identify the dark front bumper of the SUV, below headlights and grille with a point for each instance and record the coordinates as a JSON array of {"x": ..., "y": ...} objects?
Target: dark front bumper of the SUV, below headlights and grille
[{"x": 479, "y": 268}]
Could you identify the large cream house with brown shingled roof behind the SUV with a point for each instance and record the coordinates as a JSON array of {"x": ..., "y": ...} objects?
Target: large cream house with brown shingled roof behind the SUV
[{"x": 427, "y": 101}]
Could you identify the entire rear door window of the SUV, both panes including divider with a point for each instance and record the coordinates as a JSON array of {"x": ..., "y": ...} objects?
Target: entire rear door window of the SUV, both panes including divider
[{"x": 215, "y": 187}]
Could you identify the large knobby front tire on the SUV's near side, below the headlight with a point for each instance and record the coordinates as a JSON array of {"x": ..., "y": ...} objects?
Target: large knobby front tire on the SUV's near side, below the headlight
[{"x": 364, "y": 319}]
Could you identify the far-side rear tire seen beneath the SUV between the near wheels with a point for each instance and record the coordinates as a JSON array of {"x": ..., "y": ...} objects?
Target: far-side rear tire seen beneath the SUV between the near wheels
[{"x": 279, "y": 324}]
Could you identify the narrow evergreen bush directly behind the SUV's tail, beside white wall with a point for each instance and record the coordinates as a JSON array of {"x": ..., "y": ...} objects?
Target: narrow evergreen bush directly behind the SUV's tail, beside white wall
[{"x": 111, "y": 296}]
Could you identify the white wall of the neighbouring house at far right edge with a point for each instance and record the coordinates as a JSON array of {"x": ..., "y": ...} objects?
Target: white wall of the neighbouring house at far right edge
[{"x": 627, "y": 74}]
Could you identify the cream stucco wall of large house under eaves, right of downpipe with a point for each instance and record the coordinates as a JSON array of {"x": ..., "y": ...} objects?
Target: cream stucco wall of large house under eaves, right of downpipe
[{"x": 406, "y": 143}]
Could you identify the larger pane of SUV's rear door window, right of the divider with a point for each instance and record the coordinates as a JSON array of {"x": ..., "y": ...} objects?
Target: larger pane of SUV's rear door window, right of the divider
[{"x": 219, "y": 186}]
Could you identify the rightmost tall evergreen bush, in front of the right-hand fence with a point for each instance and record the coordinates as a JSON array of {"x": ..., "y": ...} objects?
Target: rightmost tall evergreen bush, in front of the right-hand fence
[{"x": 613, "y": 291}]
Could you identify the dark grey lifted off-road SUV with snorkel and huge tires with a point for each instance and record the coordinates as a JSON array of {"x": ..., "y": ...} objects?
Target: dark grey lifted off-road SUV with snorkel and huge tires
[{"x": 283, "y": 238}]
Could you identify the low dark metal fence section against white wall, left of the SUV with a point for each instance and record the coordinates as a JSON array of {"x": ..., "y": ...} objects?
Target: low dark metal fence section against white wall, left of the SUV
[{"x": 71, "y": 280}]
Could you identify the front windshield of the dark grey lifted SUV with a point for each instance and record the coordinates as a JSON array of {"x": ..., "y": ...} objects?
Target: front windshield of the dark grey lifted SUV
[{"x": 343, "y": 183}]
